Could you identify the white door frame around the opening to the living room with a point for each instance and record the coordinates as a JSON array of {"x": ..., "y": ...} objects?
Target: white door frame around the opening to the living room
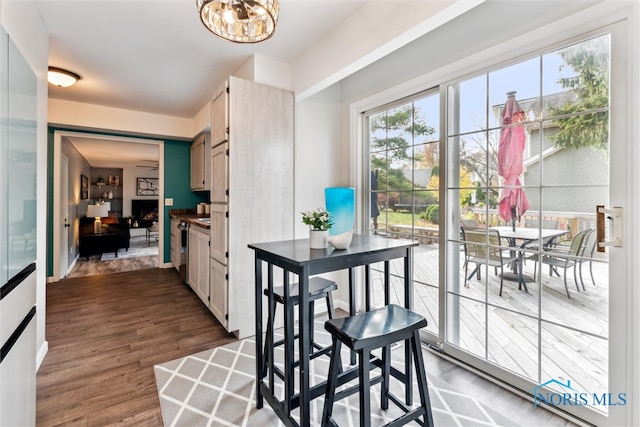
[{"x": 57, "y": 154}]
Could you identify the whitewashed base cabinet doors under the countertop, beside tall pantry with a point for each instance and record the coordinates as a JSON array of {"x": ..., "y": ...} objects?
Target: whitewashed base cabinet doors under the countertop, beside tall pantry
[{"x": 199, "y": 262}]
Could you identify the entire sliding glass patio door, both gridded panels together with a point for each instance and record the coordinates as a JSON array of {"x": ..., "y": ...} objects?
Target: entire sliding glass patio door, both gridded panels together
[{"x": 501, "y": 195}]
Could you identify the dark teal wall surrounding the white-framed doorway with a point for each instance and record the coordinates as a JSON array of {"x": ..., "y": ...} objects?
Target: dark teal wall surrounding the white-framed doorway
[{"x": 176, "y": 184}]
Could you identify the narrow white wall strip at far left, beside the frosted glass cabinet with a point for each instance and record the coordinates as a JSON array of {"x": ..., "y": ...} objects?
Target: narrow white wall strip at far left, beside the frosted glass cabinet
[{"x": 22, "y": 22}]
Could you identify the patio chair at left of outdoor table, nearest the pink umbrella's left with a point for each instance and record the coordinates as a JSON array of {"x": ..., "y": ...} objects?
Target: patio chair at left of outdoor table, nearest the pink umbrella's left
[{"x": 484, "y": 247}]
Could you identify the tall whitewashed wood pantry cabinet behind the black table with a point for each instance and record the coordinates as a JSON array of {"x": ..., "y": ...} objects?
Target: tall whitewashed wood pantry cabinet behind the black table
[{"x": 251, "y": 191}]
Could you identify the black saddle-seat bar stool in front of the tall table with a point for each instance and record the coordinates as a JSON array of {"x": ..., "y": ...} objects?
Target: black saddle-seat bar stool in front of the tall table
[{"x": 364, "y": 333}]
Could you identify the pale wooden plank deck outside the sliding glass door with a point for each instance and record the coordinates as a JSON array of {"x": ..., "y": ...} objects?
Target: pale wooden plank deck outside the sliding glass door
[{"x": 572, "y": 332}]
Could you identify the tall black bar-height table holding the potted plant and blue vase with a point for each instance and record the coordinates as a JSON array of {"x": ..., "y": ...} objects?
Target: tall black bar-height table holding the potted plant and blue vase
[{"x": 295, "y": 256}]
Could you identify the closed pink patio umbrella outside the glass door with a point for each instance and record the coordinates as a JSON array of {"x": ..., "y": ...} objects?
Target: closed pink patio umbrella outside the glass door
[{"x": 513, "y": 200}]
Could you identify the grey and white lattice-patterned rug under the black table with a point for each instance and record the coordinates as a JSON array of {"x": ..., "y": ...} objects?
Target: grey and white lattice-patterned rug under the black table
[{"x": 216, "y": 387}]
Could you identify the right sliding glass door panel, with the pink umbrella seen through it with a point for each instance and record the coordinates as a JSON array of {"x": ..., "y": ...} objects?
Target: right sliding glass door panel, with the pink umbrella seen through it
[{"x": 556, "y": 331}]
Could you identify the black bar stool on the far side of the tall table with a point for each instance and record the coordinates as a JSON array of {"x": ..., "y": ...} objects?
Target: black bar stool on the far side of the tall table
[{"x": 319, "y": 287}]
